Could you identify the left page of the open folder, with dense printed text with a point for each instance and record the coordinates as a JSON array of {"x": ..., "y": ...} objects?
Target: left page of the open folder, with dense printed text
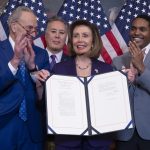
[{"x": 66, "y": 106}]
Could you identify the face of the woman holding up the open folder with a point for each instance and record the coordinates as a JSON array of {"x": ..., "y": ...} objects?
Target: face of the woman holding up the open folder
[{"x": 82, "y": 40}]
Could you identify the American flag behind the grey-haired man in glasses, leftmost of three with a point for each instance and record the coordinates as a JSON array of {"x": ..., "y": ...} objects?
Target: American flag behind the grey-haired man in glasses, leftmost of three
[{"x": 35, "y": 5}]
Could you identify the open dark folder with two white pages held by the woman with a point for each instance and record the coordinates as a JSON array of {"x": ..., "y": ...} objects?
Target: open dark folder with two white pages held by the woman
[{"x": 87, "y": 106}]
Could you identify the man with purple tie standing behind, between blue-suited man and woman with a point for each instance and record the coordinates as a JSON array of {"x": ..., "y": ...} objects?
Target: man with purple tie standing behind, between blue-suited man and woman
[{"x": 55, "y": 36}]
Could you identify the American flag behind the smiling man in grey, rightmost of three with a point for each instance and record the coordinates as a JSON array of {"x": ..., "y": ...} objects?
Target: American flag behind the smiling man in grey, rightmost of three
[{"x": 130, "y": 10}]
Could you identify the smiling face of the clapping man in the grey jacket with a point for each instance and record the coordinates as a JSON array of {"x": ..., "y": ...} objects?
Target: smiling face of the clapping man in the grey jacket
[{"x": 140, "y": 32}]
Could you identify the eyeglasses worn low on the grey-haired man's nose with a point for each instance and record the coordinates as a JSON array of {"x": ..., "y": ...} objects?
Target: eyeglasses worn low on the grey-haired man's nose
[{"x": 29, "y": 30}]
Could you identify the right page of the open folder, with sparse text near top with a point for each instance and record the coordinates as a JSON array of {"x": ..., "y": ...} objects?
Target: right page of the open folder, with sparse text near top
[{"x": 109, "y": 102}]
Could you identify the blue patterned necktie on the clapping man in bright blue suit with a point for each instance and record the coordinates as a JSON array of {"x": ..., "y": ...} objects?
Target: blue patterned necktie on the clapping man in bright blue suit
[{"x": 22, "y": 109}]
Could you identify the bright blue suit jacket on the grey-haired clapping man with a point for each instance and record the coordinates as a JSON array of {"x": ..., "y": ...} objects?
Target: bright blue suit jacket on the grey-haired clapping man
[{"x": 12, "y": 90}]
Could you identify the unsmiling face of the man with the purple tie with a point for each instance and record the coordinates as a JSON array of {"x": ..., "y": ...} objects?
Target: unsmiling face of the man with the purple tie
[{"x": 55, "y": 36}]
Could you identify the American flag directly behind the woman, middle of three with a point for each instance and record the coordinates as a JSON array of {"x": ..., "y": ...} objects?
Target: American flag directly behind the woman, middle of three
[{"x": 92, "y": 10}]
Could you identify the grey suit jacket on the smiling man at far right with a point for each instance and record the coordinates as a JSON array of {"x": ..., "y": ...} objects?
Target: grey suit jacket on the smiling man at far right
[{"x": 140, "y": 99}]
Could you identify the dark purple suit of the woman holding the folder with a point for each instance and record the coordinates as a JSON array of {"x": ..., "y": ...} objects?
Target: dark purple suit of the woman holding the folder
[{"x": 69, "y": 68}]
